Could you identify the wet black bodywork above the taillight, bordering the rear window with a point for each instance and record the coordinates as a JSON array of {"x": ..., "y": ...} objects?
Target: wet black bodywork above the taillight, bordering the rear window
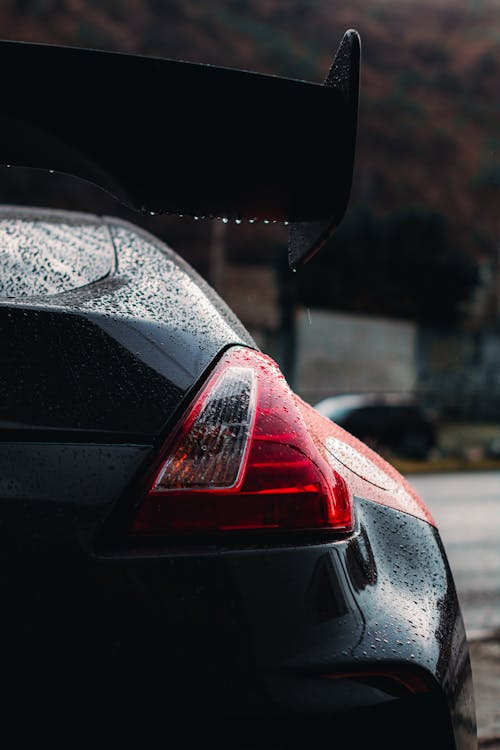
[{"x": 115, "y": 357}]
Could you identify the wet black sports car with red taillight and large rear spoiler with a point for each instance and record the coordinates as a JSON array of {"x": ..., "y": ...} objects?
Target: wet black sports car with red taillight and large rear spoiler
[{"x": 191, "y": 555}]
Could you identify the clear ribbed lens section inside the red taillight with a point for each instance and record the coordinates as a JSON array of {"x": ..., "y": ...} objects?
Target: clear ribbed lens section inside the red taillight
[{"x": 213, "y": 443}]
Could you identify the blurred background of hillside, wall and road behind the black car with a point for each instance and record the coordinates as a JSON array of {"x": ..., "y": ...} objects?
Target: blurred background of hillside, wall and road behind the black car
[{"x": 394, "y": 328}]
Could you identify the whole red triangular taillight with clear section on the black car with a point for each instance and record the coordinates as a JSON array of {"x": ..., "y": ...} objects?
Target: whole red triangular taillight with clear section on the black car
[{"x": 242, "y": 460}]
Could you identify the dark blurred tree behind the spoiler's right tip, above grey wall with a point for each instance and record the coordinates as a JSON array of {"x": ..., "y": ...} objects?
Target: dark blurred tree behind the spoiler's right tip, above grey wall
[{"x": 403, "y": 265}]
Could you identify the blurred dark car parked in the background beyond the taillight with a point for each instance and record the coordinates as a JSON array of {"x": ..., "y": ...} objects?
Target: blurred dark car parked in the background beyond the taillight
[{"x": 386, "y": 422}]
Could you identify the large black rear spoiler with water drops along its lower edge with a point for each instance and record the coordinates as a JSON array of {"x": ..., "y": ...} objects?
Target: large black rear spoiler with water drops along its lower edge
[{"x": 177, "y": 137}]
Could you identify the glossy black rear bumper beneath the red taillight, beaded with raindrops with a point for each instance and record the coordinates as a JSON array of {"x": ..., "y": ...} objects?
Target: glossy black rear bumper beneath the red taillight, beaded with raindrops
[{"x": 359, "y": 640}]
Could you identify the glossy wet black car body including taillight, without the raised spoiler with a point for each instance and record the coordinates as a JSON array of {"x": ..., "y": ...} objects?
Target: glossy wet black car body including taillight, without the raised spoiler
[{"x": 248, "y": 622}]
